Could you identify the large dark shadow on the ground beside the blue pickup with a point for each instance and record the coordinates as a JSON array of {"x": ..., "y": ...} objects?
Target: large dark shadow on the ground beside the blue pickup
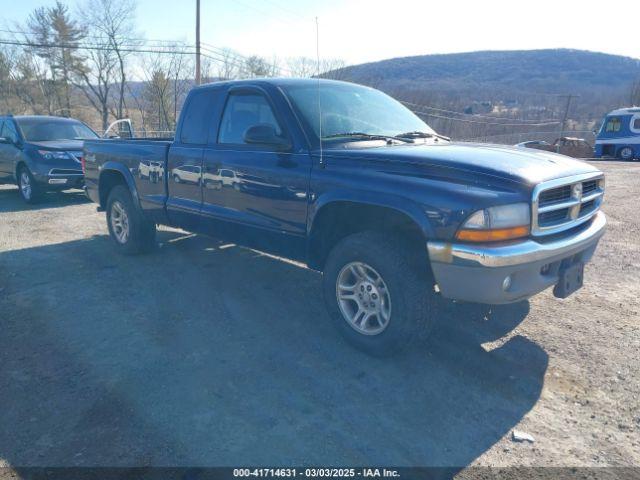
[{"x": 203, "y": 354}]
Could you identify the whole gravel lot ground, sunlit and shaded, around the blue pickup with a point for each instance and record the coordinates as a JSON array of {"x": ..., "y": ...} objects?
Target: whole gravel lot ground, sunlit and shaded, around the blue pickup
[{"x": 208, "y": 354}]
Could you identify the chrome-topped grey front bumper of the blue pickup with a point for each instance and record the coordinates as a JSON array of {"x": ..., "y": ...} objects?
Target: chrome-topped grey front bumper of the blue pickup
[{"x": 509, "y": 272}]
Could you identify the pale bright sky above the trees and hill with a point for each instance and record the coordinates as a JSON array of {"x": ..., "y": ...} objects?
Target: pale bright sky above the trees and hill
[{"x": 364, "y": 31}]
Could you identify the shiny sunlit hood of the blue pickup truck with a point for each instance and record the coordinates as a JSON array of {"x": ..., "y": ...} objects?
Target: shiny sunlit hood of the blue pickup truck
[{"x": 522, "y": 165}]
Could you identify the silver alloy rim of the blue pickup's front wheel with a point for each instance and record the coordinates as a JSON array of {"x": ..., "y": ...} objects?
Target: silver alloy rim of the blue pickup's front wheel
[{"x": 363, "y": 298}]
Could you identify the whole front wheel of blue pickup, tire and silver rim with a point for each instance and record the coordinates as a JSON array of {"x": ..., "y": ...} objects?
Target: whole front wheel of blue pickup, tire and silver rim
[{"x": 377, "y": 294}]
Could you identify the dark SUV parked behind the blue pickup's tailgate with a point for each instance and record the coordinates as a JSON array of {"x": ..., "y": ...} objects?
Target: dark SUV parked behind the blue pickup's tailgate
[{"x": 42, "y": 153}]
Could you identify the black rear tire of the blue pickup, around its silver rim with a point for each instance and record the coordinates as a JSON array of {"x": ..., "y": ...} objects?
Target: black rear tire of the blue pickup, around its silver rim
[{"x": 141, "y": 231}]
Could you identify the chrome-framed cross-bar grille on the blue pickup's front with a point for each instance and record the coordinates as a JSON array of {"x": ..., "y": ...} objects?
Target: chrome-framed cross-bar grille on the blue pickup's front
[{"x": 565, "y": 203}]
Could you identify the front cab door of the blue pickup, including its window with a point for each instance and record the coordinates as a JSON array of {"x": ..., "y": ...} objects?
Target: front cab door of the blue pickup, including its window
[{"x": 260, "y": 192}]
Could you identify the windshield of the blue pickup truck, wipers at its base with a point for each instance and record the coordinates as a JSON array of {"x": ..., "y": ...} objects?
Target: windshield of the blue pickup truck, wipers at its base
[{"x": 349, "y": 111}]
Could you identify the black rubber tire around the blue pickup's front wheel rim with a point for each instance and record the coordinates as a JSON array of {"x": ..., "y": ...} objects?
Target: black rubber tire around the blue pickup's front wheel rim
[{"x": 408, "y": 281}]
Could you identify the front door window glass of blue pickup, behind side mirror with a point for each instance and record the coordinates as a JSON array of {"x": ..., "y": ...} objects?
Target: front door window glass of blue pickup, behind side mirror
[{"x": 242, "y": 111}]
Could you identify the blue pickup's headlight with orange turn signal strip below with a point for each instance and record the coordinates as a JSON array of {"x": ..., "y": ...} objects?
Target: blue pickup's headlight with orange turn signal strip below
[{"x": 497, "y": 223}]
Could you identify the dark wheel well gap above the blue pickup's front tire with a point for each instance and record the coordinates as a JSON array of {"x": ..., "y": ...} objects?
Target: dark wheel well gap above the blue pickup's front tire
[{"x": 341, "y": 219}]
